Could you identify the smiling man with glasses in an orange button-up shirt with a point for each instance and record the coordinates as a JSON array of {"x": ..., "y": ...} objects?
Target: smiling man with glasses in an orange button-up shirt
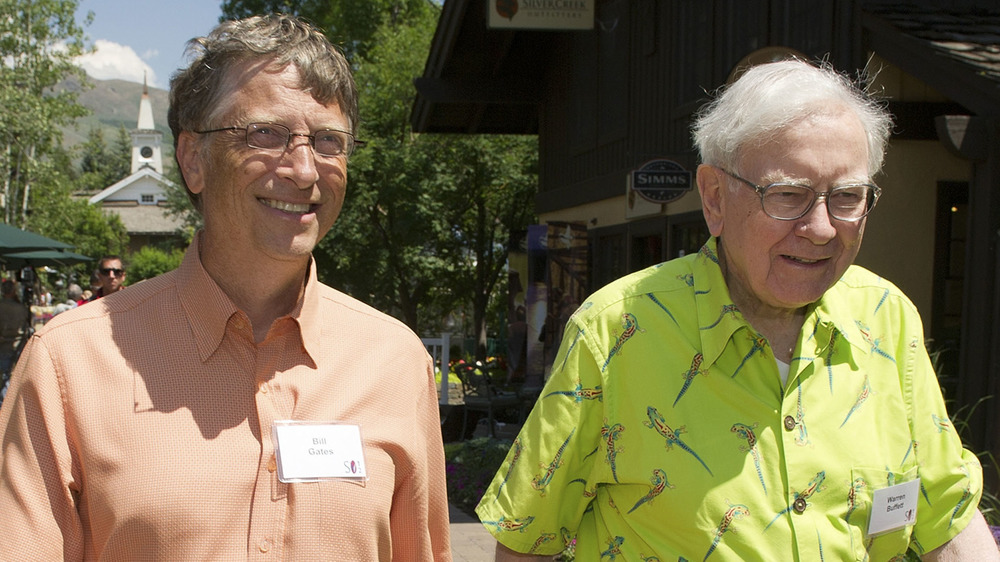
[{"x": 234, "y": 408}]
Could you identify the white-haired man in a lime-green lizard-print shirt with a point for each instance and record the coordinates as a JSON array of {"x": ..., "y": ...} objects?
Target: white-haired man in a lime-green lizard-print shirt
[{"x": 763, "y": 399}]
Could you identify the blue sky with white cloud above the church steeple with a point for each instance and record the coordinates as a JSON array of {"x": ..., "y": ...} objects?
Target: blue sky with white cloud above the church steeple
[{"x": 136, "y": 36}]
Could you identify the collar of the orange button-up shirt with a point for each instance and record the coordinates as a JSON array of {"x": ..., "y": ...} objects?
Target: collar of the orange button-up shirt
[{"x": 208, "y": 308}]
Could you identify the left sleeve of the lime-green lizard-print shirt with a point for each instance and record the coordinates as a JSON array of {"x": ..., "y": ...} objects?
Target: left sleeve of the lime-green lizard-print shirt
[{"x": 539, "y": 495}]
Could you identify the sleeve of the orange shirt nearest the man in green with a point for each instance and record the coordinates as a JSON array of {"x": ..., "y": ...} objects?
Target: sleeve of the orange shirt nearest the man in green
[{"x": 419, "y": 517}]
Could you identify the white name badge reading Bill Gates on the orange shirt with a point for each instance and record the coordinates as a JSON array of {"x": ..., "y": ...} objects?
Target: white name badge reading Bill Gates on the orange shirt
[{"x": 312, "y": 451}]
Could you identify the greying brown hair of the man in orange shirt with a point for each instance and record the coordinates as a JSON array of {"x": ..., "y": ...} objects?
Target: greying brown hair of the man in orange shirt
[{"x": 198, "y": 93}]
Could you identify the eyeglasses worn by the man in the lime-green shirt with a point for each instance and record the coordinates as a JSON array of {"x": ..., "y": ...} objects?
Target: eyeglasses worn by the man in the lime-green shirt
[{"x": 787, "y": 201}]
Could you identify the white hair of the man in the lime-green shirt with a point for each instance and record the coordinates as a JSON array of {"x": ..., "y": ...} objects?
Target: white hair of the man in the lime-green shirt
[{"x": 770, "y": 97}]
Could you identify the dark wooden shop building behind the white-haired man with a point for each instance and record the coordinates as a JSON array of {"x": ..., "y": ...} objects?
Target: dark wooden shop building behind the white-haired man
[{"x": 606, "y": 100}]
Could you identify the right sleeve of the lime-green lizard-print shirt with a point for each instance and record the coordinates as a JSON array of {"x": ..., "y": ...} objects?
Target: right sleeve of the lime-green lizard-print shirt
[{"x": 951, "y": 478}]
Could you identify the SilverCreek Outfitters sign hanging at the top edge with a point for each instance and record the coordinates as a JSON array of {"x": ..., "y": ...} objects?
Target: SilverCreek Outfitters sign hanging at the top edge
[{"x": 541, "y": 14}]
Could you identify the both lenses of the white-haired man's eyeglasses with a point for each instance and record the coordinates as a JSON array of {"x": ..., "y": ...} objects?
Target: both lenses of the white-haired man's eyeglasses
[{"x": 788, "y": 201}]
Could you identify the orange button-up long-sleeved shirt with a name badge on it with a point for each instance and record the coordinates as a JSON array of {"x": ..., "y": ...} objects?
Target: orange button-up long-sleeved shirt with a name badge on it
[{"x": 139, "y": 427}]
